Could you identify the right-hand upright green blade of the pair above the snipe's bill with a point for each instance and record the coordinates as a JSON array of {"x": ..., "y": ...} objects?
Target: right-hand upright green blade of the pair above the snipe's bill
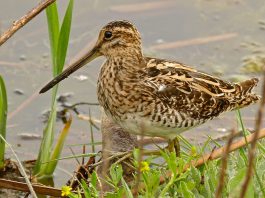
[{"x": 64, "y": 37}]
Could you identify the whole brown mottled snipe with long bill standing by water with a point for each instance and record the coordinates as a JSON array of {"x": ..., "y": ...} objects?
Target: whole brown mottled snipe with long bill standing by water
[{"x": 153, "y": 96}]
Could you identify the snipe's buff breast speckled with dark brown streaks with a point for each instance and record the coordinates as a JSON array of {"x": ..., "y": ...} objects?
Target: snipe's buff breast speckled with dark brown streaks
[{"x": 117, "y": 92}]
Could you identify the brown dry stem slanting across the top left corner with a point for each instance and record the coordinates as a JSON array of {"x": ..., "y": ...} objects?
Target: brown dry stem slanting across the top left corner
[{"x": 24, "y": 20}]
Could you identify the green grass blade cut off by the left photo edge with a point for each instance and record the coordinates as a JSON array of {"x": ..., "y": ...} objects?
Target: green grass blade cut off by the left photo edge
[{"x": 3, "y": 116}]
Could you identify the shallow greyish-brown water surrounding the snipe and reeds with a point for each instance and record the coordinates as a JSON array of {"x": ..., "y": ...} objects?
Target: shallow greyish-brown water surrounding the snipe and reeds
[{"x": 180, "y": 30}]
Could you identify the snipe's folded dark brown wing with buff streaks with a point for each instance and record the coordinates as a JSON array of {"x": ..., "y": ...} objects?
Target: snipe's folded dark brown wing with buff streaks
[{"x": 187, "y": 90}]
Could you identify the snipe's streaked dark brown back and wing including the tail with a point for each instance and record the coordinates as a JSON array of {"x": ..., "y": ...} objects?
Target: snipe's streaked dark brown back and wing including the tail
[{"x": 177, "y": 81}]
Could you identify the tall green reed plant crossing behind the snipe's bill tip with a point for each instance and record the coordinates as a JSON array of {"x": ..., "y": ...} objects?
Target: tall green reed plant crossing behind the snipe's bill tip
[{"x": 59, "y": 38}]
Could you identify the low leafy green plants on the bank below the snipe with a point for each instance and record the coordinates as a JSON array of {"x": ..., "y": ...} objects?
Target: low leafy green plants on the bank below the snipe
[{"x": 194, "y": 182}]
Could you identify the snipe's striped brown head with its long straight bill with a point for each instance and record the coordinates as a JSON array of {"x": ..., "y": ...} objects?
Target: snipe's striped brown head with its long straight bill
[{"x": 117, "y": 38}]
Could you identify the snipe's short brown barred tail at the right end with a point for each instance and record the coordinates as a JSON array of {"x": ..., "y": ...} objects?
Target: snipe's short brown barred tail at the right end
[{"x": 244, "y": 96}]
